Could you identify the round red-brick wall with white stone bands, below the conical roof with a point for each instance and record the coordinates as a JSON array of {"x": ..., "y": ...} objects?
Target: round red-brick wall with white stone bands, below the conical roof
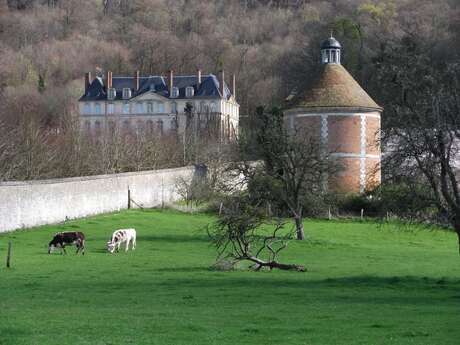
[{"x": 353, "y": 139}]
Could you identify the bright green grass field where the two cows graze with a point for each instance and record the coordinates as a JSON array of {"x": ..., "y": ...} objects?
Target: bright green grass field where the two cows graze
[{"x": 366, "y": 284}]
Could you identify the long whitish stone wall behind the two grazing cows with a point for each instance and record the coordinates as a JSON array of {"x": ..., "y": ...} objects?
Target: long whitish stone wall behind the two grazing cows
[{"x": 28, "y": 204}]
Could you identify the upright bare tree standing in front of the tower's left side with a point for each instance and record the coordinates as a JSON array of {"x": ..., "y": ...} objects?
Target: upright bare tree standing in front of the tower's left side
[{"x": 294, "y": 166}]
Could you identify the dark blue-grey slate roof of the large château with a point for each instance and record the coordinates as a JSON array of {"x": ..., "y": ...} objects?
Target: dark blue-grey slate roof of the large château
[{"x": 209, "y": 87}]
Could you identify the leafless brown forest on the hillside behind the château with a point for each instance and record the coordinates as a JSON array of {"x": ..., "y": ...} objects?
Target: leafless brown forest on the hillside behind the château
[{"x": 272, "y": 47}]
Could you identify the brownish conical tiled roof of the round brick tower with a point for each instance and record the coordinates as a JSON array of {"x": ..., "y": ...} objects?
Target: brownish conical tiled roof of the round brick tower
[{"x": 334, "y": 87}]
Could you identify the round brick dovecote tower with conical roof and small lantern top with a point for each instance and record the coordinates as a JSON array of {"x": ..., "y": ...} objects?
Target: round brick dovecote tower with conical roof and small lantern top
[{"x": 345, "y": 119}]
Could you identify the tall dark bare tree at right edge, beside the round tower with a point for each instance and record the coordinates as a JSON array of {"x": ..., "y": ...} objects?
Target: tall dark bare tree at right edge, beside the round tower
[{"x": 421, "y": 80}]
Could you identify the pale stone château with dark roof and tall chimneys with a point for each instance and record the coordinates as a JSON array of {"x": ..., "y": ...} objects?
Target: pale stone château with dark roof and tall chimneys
[{"x": 159, "y": 104}]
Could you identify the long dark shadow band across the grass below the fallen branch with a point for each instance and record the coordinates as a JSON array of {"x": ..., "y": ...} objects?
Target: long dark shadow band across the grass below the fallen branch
[{"x": 372, "y": 290}]
